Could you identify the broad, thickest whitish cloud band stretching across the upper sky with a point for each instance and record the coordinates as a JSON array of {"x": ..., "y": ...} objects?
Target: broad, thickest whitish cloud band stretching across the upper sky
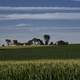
[{"x": 41, "y": 16}]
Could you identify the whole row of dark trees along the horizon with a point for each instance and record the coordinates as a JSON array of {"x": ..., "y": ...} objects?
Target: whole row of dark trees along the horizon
[{"x": 36, "y": 41}]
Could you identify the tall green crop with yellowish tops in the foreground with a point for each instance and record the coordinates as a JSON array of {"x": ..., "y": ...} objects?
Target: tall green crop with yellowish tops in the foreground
[{"x": 40, "y": 70}]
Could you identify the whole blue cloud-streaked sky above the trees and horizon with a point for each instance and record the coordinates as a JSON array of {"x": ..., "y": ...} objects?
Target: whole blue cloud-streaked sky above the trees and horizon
[{"x": 25, "y": 19}]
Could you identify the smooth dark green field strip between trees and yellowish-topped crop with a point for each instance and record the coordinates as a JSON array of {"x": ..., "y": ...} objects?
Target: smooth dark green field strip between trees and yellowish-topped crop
[{"x": 40, "y": 52}]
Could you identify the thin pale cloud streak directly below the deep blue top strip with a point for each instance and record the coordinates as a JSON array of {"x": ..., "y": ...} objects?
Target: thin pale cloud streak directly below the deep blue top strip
[{"x": 40, "y": 8}]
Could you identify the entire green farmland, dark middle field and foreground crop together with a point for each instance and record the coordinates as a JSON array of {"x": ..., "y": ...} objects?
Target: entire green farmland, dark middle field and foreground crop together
[{"x": 40, "y": 63}]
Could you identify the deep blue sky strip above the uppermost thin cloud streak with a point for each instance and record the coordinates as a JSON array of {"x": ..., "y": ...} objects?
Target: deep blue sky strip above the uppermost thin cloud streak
[{"x": 49, "y": 3}]
